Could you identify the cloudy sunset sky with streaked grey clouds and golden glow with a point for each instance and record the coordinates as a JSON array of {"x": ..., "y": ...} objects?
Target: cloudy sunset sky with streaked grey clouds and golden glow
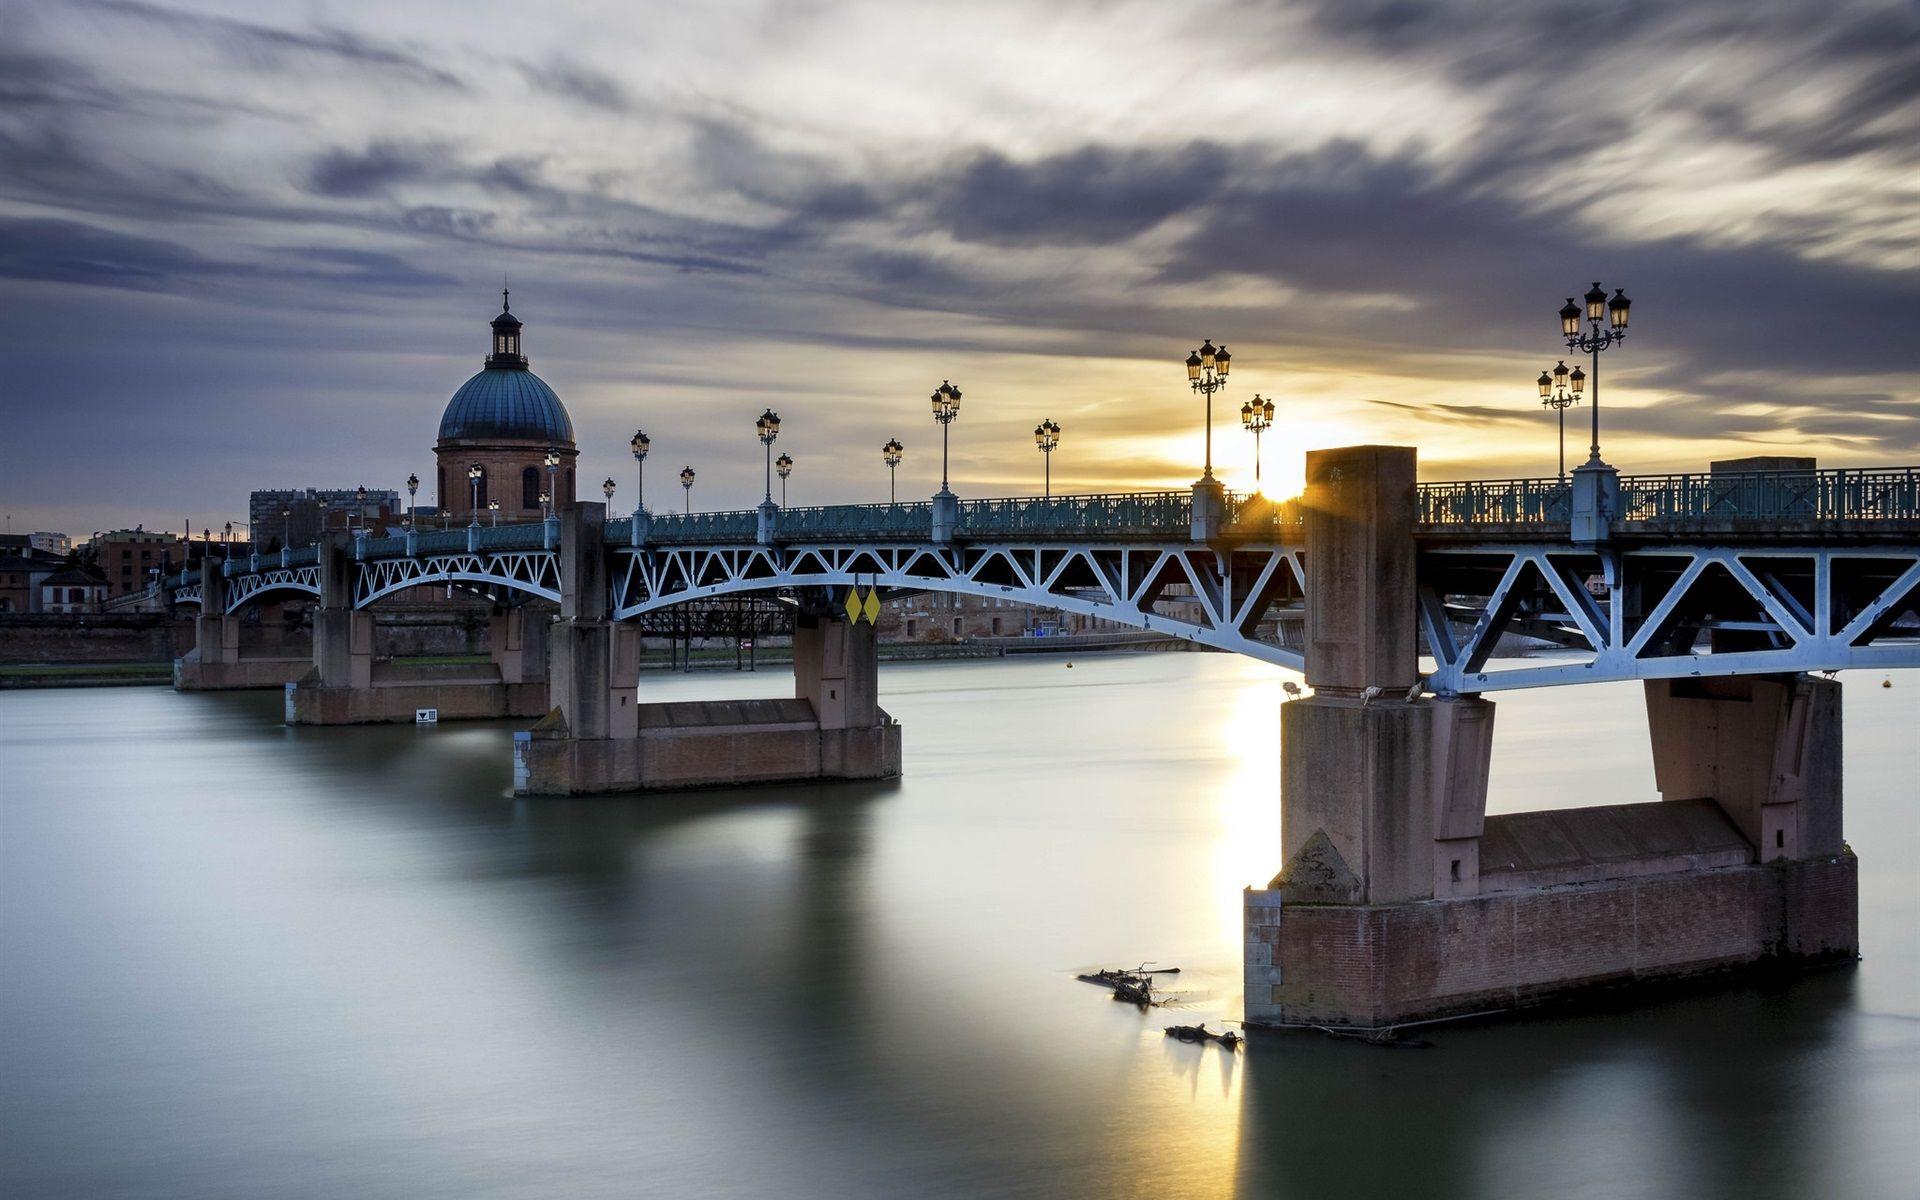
[{"x": 256, "y": 245}]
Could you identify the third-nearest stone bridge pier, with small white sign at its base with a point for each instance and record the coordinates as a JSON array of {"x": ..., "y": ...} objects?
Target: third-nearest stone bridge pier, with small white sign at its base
[{"x": 347, "y": 684}]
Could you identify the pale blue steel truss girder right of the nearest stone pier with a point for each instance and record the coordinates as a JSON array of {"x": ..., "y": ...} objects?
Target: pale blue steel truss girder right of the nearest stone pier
[{"x": 1662, "y": 640}]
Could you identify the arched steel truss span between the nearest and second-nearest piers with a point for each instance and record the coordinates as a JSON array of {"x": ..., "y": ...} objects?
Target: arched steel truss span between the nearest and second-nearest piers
[{"x": 1234, "y": 588}]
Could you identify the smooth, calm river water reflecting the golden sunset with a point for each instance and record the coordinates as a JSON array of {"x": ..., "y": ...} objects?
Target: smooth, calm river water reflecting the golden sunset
[{"x": 243, "y": 961}]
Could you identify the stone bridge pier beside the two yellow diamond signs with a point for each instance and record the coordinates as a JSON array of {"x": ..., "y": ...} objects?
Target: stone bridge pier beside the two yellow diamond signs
[{"x": 600, "y": 738}]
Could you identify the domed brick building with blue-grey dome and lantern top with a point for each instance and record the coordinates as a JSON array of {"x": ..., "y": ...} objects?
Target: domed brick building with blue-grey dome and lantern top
[{"x": 506, "y": 421}]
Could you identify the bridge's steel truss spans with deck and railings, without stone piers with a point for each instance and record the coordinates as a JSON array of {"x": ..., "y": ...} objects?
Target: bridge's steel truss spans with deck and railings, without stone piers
[{"x": 1696, "y": 575}]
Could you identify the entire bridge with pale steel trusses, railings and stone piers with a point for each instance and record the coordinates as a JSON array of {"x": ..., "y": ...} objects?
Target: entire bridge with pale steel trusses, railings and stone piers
[{"x": 1399, "y": 898}]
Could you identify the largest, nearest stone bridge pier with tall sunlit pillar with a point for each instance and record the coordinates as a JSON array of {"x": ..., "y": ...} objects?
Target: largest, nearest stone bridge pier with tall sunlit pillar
[{"x": 1403, "y": 901}]
